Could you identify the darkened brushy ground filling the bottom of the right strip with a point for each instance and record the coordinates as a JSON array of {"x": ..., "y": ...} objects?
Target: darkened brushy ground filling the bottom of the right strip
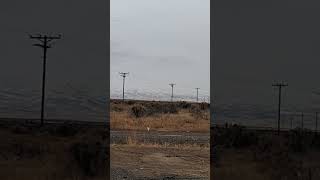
[{"x": 239, "y": 153}]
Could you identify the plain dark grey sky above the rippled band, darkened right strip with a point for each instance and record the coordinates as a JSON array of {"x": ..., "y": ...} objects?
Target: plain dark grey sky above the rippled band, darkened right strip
[{"x": 261, "y": 42}]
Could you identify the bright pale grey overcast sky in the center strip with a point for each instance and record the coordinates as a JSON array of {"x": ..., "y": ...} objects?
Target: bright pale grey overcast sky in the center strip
[{"x": 159, "y": 42}]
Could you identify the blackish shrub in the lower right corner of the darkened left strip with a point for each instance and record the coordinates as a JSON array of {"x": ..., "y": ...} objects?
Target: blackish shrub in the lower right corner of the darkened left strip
[{"x": 90, "y": 157}]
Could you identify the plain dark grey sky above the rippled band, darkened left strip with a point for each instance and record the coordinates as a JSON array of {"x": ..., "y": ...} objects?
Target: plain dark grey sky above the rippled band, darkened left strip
[{"x": 79, "y": 58}]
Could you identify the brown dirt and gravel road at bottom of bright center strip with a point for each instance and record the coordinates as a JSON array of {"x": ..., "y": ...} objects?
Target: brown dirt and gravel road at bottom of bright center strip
[{"x": 186, "y": 157}]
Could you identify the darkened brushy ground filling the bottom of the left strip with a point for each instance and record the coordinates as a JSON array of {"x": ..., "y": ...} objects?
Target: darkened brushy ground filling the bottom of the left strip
[{"x": 52, "y": 153}]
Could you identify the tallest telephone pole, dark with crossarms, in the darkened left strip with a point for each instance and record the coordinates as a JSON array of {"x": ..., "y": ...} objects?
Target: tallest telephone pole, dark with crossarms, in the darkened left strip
[{"x": 44, "y": 44}]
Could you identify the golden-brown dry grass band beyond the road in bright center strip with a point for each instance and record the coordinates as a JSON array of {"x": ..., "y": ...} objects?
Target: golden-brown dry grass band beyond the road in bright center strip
[{"x": 183, "y": 120}]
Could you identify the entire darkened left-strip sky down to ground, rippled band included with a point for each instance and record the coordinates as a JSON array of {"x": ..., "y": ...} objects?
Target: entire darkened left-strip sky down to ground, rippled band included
[{"x": 76, "y": 63}]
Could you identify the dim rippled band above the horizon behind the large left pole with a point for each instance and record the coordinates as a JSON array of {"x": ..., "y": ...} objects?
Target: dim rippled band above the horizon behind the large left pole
[{"x": 59, "y": 104}]
